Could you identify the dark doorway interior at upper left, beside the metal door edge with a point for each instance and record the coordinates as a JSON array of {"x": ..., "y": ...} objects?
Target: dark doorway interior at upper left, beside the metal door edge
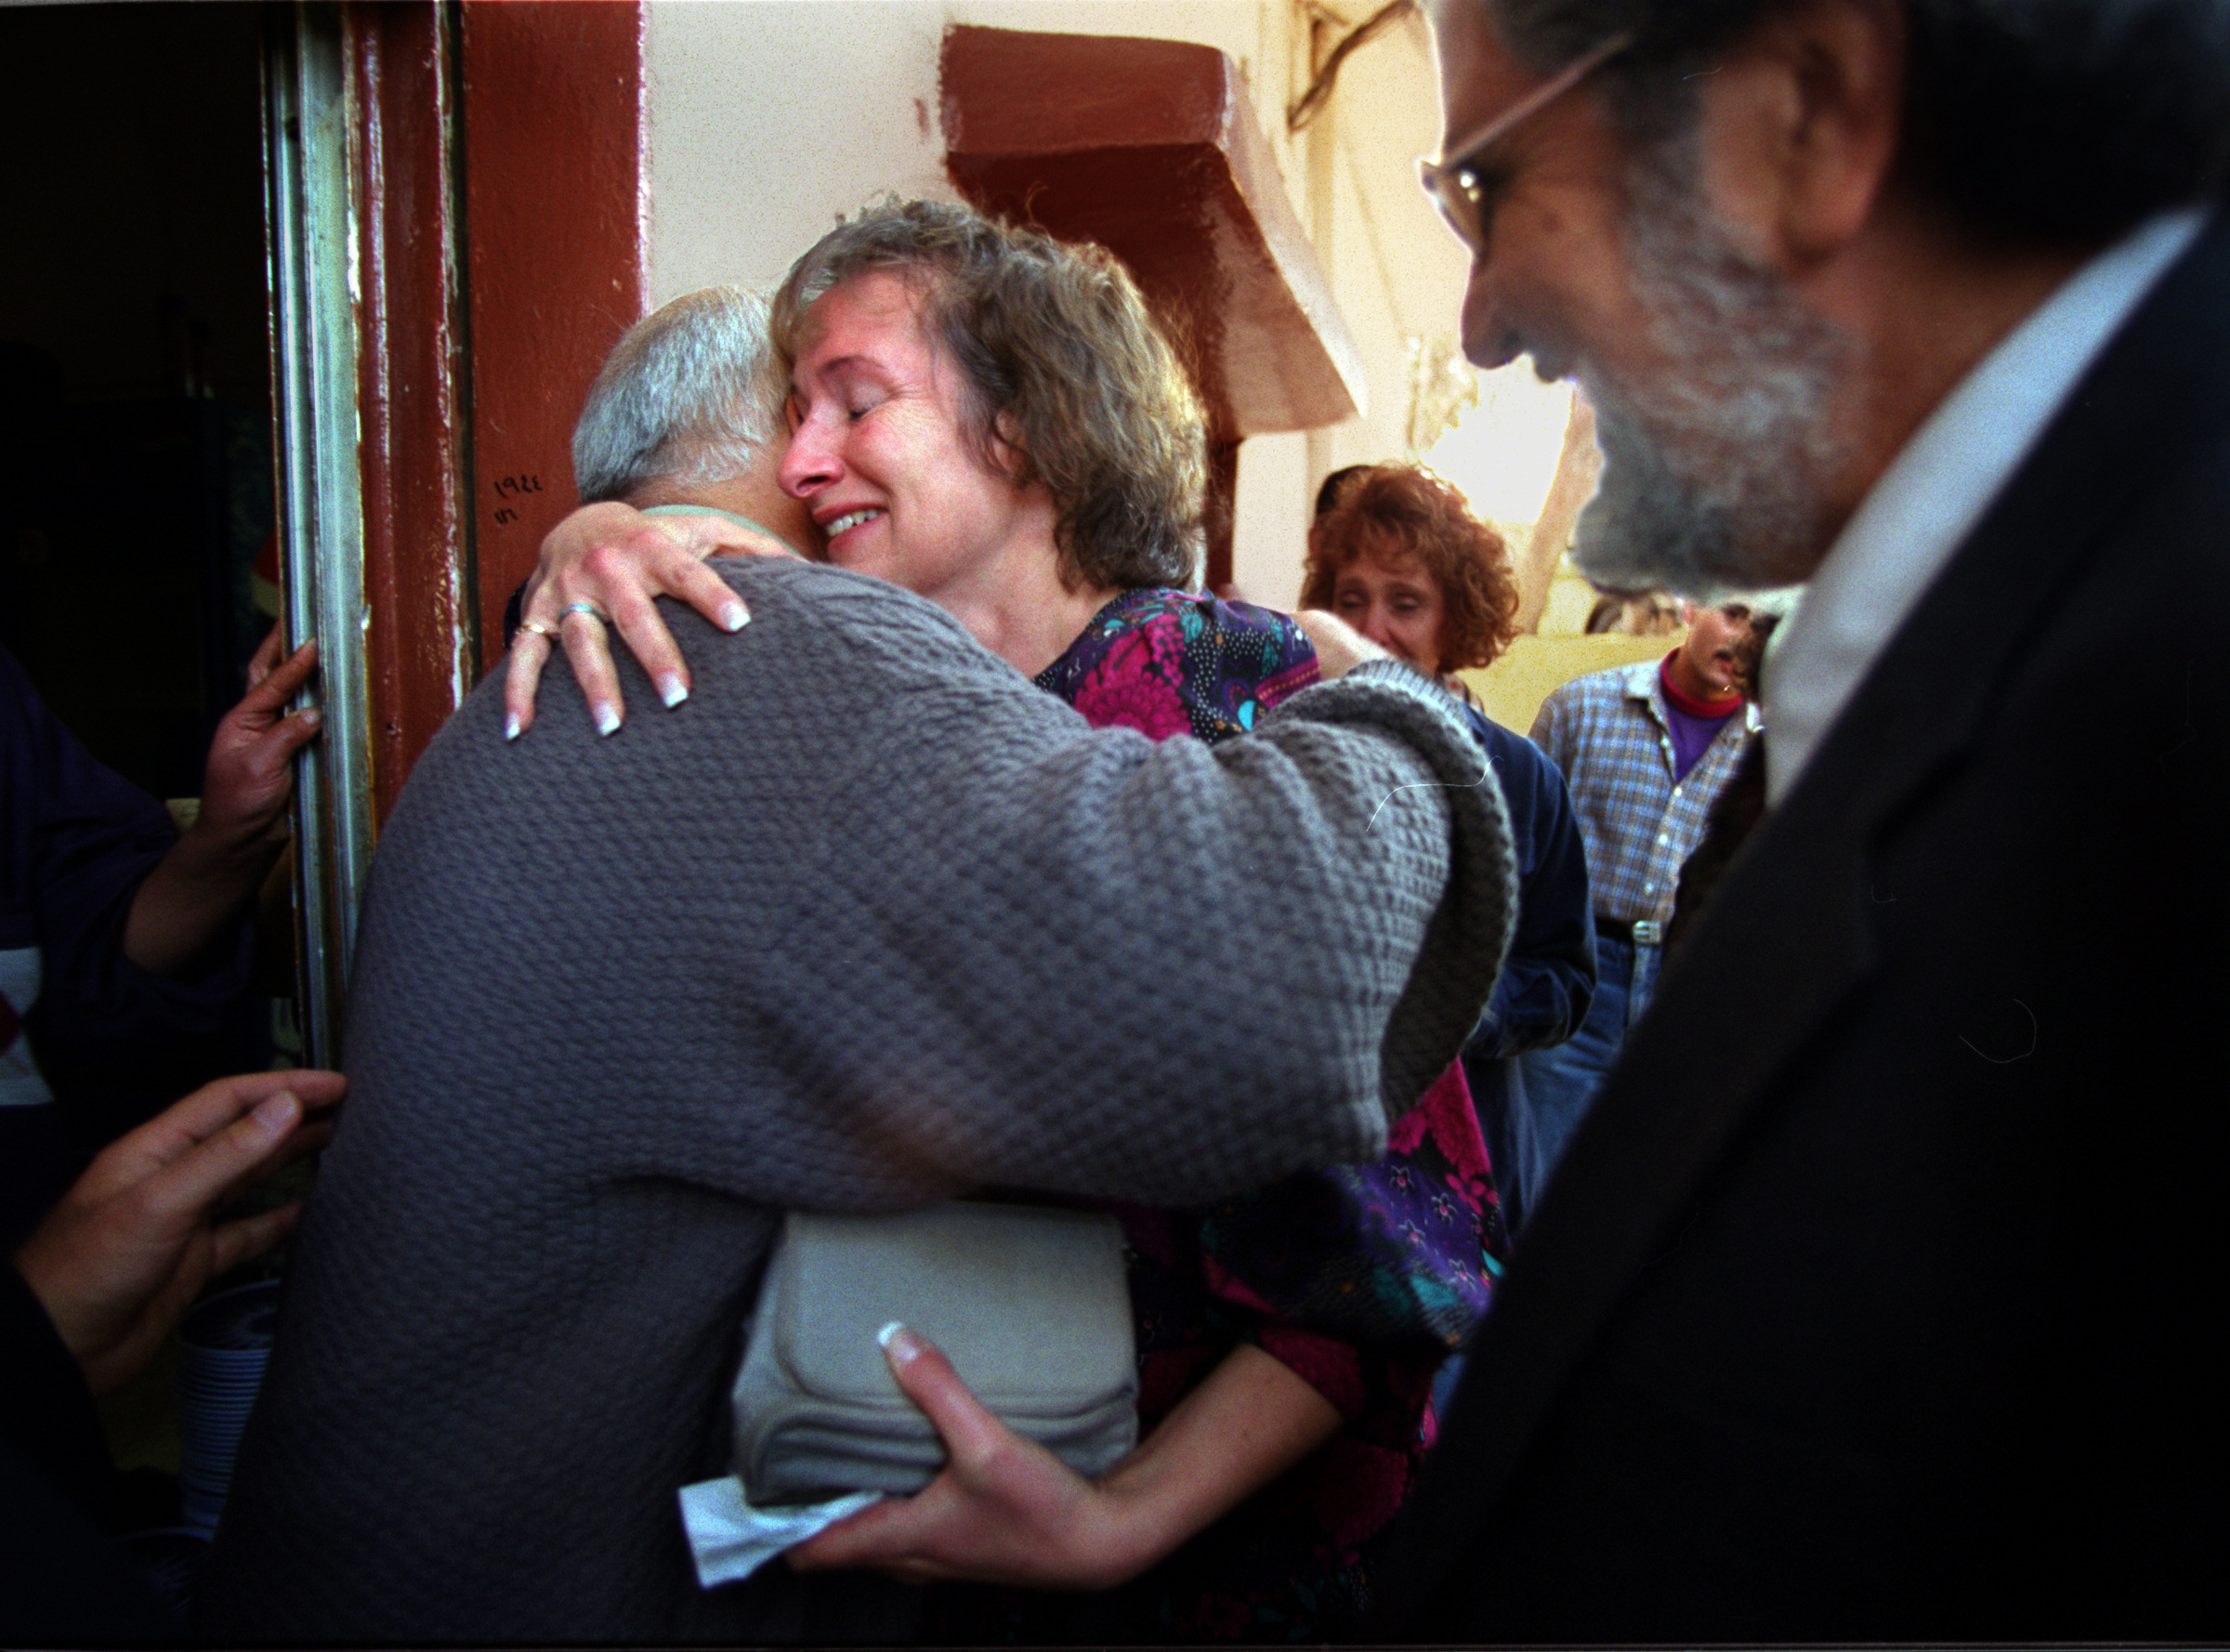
[{"x": 135, "y": 371}]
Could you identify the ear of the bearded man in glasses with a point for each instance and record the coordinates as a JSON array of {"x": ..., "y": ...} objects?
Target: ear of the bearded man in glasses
[{"x": 1801, "y": 126}]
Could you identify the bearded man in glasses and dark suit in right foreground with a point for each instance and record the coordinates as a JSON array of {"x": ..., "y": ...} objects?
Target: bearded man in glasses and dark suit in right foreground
[{"x": 1877, "y": 1296}]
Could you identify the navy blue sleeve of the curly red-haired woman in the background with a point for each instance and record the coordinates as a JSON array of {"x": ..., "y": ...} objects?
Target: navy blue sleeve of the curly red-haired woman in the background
[{"x": 1549, "y": 980}]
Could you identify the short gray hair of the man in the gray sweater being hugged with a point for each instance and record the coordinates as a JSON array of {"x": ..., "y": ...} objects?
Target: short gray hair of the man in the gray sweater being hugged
[{"x": 683, "y": 398}]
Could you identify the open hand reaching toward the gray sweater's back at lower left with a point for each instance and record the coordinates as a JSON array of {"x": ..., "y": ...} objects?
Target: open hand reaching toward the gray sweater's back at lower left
[{"x": 137, "y": 1236}]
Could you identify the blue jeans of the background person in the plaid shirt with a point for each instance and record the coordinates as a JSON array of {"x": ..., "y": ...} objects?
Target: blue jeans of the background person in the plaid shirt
[{"x": 1551, "y": 1089}]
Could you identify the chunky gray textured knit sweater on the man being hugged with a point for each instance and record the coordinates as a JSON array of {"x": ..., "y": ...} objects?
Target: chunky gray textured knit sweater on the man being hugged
[{"x": 869, "y": 922}]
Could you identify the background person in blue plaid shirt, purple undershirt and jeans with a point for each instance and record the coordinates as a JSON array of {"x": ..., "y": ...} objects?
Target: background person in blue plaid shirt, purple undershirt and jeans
[{"x": 1647, "y": 752}]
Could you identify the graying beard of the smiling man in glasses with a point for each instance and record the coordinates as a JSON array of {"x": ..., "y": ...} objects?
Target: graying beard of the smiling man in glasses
[{"x": 1716, "y": 472}]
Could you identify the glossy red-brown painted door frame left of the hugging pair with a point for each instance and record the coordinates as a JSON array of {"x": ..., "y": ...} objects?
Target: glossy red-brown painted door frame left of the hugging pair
[{"x": 498, "y": 179}]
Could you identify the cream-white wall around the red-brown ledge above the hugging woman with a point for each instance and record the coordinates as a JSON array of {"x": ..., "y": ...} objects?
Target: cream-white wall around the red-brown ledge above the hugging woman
[{"x": 768, "y": 119}]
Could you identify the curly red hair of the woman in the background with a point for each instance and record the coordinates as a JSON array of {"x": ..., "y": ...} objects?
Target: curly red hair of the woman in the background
[{"x": 1399, "y": 514}]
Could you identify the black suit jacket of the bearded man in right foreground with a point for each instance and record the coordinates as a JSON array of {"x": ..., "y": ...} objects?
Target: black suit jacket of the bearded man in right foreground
[{"x": 1881, "y": 1294}]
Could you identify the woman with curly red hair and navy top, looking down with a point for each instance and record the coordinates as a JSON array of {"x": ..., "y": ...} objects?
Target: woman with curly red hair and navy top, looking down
[{"x": 1406, "y": 563}]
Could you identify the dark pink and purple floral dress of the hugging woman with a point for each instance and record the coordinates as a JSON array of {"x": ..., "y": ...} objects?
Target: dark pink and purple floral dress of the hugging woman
[{"x": 1359, "y": 1279}]
